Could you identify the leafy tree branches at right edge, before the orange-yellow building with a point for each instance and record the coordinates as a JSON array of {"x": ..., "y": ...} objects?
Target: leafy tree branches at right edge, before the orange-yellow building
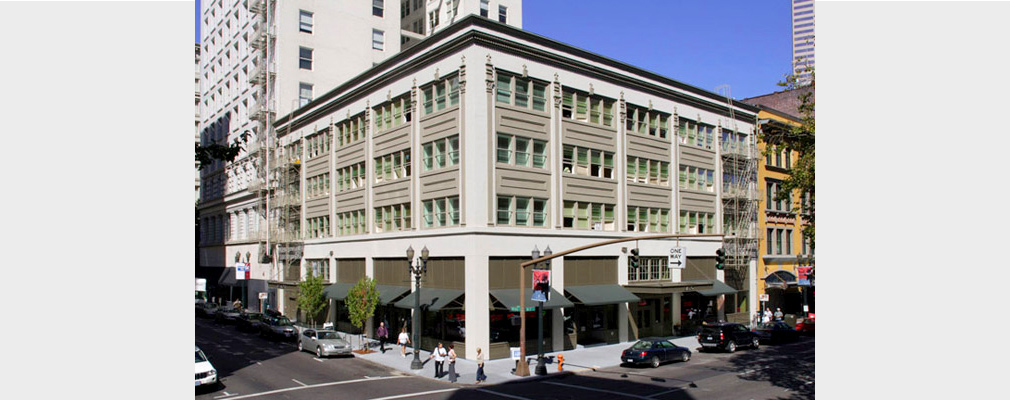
[{"x": 799, "y": 139}]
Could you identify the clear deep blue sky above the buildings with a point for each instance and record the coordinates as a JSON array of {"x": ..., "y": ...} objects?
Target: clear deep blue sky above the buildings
[{"x": 704, "y": 44}]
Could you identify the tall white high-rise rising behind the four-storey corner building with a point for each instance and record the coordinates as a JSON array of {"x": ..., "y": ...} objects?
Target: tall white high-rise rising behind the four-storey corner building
[{"x": 262, "y": 59}]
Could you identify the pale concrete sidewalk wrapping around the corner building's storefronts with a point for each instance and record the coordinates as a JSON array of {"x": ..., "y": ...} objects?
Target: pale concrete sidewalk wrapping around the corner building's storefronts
[{"x": 500, "y": 371}]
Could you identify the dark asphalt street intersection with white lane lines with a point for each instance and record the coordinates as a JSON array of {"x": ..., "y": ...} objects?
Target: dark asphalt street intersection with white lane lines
[{"x": 252, "y": 367}]
